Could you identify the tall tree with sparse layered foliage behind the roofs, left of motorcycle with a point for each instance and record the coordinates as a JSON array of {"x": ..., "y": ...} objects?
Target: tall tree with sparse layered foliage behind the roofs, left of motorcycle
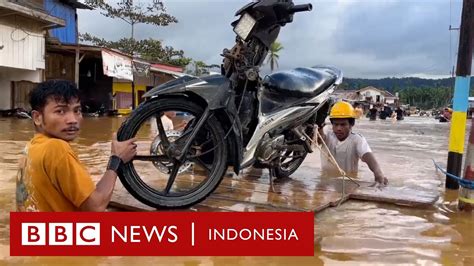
[{"x": 153, "y": 13}]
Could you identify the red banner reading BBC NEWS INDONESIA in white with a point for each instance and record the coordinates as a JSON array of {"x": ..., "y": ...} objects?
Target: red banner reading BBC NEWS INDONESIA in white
[{"x": 162, "y": 234}]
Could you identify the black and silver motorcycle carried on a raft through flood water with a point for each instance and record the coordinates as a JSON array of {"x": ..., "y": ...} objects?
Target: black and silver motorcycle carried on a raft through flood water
[{"x": 236, "y": 119}]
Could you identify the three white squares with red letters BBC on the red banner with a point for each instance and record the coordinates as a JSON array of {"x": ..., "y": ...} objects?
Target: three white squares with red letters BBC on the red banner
[{"x": 60, "y": 234}]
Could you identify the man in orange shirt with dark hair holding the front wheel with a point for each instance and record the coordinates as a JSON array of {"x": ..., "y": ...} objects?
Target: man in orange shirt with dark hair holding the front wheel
[{"x": 51, "y": 177}]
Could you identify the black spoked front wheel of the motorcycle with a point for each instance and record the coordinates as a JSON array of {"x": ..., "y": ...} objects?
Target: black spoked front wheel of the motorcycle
[{"x": 155, "y": 176}]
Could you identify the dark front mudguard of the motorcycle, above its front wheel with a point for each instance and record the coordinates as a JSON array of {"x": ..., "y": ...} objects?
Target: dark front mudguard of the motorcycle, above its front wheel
[{"x": 215, "y": 92}]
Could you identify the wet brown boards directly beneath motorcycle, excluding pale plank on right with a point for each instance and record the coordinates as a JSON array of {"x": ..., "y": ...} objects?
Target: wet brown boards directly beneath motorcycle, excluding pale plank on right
[{"x": 240, "y": 194}]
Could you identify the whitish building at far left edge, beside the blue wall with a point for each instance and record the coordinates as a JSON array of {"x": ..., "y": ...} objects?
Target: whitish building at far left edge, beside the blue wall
[{"x": 23, "y": 27}]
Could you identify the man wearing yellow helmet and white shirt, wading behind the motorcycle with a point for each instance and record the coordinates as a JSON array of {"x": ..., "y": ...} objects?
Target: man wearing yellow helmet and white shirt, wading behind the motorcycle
[{"x": 348, "y": 147}]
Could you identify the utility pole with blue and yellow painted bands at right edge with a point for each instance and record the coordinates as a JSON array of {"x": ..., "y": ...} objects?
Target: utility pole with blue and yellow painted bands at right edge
[{"x": 461, "y": 94}]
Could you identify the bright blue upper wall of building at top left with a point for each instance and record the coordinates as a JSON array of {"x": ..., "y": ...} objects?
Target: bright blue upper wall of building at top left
[{"x": 65, "y": 34}]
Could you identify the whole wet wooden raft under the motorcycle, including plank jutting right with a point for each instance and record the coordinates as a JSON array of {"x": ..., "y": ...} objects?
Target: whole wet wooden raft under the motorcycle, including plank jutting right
[{"x": 250, "y": 192}]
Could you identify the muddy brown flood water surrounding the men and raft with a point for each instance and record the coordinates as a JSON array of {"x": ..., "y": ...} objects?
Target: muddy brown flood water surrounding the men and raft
[{"x": 355, "y": 233}]
